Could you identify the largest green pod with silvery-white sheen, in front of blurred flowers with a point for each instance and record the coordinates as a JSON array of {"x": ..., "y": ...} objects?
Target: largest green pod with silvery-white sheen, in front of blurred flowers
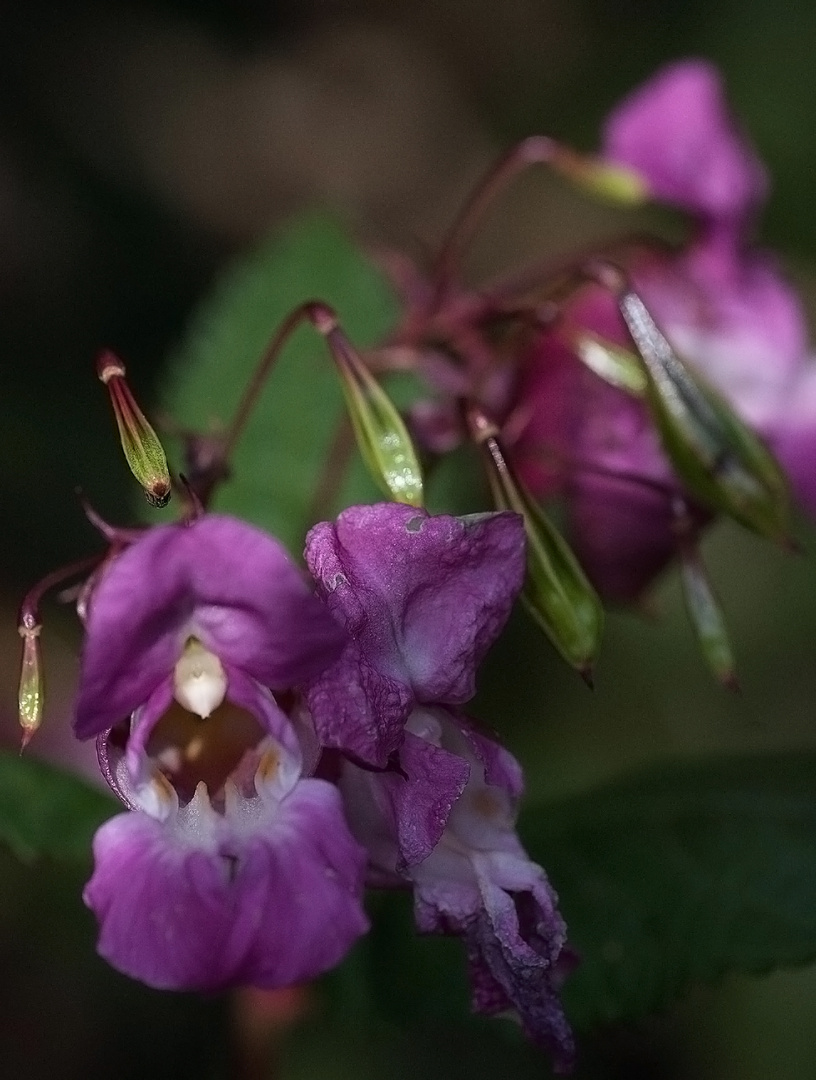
[{"x": 718, "y": 457}]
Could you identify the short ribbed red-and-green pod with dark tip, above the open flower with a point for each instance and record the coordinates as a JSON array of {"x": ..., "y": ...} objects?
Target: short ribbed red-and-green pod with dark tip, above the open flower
[{"x": 142, "y": 448}]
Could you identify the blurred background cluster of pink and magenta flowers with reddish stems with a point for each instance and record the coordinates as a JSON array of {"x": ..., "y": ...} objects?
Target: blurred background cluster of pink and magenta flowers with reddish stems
[{"x": 526, "y": 348}]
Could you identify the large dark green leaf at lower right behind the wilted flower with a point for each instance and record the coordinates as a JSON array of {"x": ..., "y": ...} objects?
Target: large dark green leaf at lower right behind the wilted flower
[{"x": 679, "y": 875}]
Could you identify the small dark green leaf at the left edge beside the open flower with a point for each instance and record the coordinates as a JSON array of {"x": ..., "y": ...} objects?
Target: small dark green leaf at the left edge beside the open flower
[{"x": 47, "y": 813}]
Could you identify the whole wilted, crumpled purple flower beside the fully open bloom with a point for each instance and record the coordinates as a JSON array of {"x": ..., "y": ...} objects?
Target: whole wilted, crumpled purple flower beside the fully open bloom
[{"x": 433, "y": 802}]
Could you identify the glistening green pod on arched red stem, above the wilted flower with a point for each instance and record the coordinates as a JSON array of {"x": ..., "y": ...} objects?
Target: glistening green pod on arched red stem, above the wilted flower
[{"x": 383, "y": 438}]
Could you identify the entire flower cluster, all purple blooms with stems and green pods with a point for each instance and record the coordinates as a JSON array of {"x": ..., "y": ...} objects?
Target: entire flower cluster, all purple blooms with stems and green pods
[{"x": 282, "y": 740}]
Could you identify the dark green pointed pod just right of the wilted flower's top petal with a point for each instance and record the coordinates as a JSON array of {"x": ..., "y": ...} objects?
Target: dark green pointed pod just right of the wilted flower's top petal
[{"x": 556, "y": 593}]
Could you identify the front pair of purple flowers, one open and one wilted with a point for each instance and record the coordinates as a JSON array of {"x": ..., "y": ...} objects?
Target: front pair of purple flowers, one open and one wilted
[{"x": 277, "y": 748}]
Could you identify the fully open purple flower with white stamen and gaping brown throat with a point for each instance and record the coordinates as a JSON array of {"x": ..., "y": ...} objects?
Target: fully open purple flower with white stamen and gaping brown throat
[{"x": 233, "y": 866}]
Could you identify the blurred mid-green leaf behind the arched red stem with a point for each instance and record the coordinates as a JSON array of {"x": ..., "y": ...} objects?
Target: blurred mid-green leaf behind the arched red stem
[{"x": 283, "y": 454}]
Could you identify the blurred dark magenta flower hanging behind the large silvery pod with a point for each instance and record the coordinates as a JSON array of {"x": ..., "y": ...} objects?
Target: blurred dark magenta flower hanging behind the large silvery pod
[{"x": 597, "y": 449}]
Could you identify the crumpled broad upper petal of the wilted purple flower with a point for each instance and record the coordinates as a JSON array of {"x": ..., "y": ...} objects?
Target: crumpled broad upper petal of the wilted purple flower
[{"x": 424, "y": 599}]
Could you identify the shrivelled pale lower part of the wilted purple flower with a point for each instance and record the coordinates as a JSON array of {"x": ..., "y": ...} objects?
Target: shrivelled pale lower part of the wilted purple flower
[{"x": 478, "y": 883}]
